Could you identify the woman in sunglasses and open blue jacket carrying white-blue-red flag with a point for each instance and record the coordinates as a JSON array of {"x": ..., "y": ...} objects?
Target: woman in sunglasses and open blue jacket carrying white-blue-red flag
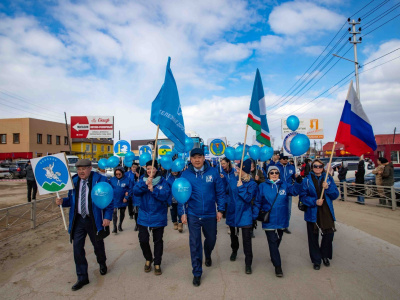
[{"x": 319, "y": 215}]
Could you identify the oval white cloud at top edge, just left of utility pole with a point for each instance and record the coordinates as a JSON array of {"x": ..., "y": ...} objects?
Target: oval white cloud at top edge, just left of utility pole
[{"x": 307, "y": 18}]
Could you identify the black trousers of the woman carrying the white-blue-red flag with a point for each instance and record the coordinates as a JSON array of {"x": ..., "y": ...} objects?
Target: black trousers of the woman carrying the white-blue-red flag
[{"x": 318, "y": 252}]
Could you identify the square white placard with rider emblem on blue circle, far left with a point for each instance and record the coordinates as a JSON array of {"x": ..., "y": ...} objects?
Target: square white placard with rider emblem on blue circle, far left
[{"x": 52, "y": 174}]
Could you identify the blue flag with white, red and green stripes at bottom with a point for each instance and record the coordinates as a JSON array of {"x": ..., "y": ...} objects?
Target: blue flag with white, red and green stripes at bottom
[{"x": 257, "y": 117}]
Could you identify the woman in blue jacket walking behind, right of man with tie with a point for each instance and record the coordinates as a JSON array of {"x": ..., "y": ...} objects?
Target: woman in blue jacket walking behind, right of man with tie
[{"x": 122, "y": 187}]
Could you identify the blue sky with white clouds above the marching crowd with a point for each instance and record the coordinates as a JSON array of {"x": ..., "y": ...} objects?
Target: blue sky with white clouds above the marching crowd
[{"x": 108, "y": 58}]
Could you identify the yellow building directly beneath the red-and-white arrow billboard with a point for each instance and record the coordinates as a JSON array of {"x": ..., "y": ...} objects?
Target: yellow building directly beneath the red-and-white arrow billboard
[{"x": 93, "y": 149}]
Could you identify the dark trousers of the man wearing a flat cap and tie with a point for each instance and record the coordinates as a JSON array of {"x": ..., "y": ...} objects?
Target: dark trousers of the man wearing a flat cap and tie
[{"x": 83, "y": 227}]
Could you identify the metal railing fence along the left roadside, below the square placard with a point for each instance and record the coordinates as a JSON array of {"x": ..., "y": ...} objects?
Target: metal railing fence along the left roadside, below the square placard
[{"x": 19, "y": 218}]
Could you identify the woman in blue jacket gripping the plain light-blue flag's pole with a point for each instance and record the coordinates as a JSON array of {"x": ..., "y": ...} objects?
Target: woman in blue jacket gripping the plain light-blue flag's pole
[{"x": 154, "y": 193}]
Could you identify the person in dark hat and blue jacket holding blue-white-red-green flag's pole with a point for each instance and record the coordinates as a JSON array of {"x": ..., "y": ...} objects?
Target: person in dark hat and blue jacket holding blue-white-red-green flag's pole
[{"x": 239, "y": 212}]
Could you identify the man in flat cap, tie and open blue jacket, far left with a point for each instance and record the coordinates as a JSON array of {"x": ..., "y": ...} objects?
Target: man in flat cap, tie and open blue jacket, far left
[{"x": 85, "y": 218}]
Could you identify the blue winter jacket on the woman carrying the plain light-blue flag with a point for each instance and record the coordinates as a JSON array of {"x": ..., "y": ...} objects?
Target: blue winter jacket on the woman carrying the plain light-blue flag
[{"x": 153, "y": 205}]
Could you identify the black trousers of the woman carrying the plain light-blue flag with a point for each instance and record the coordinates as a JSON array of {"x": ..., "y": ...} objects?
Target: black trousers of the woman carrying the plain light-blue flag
[{"x": 144, "y": 240}]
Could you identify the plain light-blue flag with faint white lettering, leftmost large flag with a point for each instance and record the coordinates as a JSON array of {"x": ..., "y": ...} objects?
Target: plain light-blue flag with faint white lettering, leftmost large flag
[{"x": 166, "y": 111}]
